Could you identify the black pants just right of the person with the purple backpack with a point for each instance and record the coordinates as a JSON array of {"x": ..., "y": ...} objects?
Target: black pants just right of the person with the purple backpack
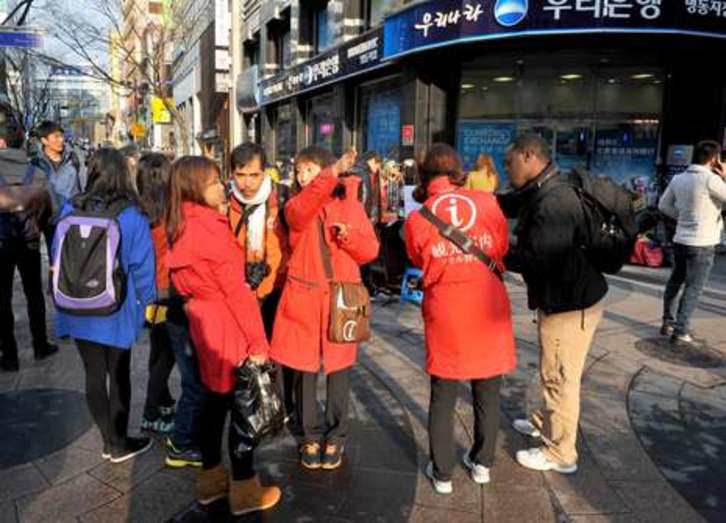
[{"x": 161, "y": 362}]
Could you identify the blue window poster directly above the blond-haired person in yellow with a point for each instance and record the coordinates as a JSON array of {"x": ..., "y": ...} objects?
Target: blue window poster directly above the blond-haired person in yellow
[{"x": 475, "y": 137}]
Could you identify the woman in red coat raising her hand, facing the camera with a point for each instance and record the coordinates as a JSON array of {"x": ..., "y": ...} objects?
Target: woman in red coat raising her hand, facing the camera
[{"x": 300, "y": 338}]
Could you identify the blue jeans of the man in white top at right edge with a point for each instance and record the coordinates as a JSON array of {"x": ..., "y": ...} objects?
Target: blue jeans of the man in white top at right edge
[{"x": 692, "y": 267}]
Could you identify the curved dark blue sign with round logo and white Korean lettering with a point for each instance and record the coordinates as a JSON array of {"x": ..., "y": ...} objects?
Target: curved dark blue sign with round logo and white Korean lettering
[{"x": 442, "y": 22}]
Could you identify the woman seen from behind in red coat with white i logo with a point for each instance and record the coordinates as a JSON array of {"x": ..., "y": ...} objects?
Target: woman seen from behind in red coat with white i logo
[{"x": 466, "y": 310}]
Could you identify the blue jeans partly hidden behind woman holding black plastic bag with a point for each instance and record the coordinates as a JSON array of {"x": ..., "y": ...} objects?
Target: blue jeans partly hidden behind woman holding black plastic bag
[{"x": 188, "y": 410}]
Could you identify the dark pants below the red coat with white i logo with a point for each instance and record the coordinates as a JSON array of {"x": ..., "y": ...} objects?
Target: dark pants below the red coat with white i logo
[{"x": 486, "y": 399}]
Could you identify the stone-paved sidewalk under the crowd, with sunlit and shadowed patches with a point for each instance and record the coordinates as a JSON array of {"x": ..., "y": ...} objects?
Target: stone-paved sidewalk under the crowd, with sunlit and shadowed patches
[{"x": 630, "y": 469}]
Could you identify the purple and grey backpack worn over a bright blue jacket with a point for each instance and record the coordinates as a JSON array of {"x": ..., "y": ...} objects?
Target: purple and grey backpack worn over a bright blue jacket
[{"x": 86, "y": 275}]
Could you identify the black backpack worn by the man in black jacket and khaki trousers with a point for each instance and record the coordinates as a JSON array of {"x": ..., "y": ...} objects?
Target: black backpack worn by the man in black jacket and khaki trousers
[{"x": 610, "y": 227}]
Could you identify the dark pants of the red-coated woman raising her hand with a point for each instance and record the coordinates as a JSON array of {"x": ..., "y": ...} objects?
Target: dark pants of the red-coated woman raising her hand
[{"x": 336, "y": 406}]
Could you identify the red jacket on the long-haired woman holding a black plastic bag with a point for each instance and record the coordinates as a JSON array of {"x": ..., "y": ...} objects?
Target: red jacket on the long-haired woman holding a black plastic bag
[{"x": 207, "y": 268}]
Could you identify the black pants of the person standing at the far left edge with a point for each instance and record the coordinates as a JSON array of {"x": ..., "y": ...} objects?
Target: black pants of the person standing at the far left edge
[{"x": 26, "y": 257}]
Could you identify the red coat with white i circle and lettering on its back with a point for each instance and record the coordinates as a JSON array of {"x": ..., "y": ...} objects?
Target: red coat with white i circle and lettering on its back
[{"x": 466, "y": 309}]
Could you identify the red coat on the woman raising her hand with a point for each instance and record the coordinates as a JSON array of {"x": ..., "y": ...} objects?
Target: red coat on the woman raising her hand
[{"x": 300, "y": 338}]
